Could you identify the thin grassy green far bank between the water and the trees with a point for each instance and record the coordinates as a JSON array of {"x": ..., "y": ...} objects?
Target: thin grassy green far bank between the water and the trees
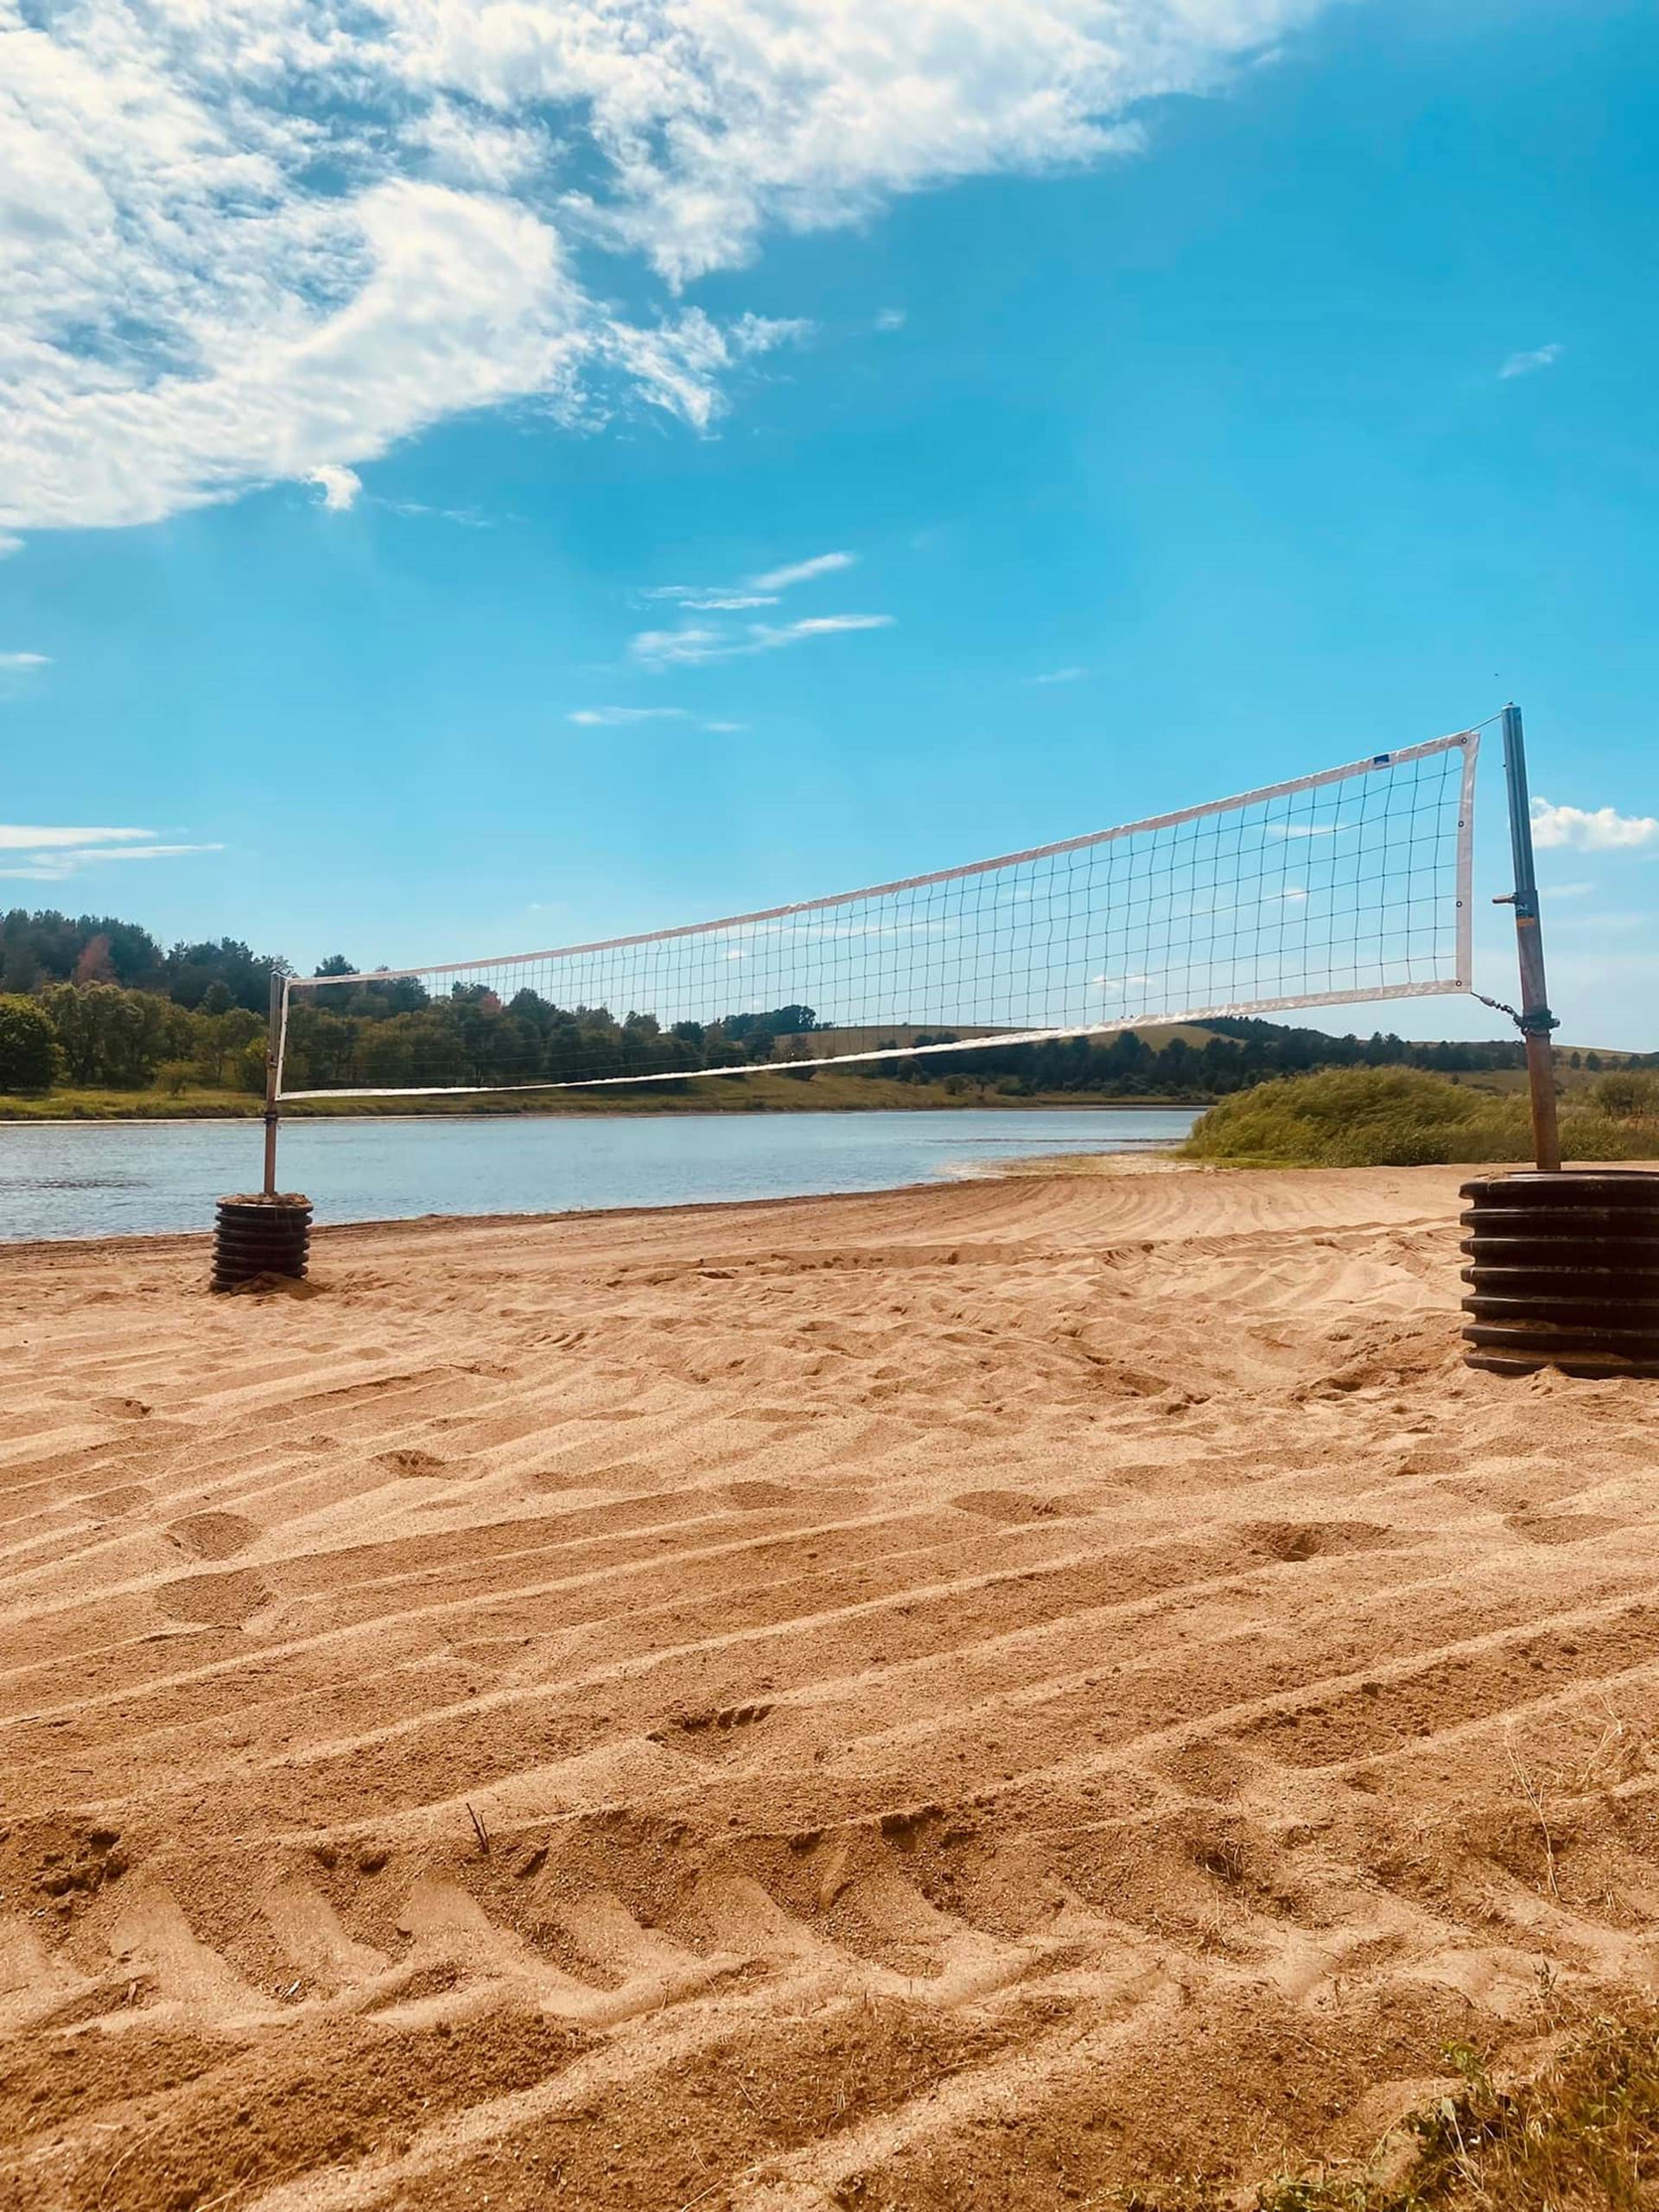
[{"x": 764, "y": 1092}]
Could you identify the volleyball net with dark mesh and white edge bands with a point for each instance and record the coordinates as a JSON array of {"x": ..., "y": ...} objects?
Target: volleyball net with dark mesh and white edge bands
[{"x": 1337, "y": 888}]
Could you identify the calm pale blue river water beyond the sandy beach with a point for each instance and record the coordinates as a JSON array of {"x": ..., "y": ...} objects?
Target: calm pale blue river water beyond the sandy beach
[{"x": 145, "y": 1178}]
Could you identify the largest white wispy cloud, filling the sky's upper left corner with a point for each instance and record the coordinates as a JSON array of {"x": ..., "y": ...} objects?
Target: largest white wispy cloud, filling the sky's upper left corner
[{"x": 249, "y": 242}]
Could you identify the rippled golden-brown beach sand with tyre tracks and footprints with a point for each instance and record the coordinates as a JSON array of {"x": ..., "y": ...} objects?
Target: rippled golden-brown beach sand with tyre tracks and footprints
[{"x": 999, "y": 1695}]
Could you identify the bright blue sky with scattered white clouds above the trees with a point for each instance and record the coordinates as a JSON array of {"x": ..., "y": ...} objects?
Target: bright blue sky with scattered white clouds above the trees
[{"x": 481, "y": 474}]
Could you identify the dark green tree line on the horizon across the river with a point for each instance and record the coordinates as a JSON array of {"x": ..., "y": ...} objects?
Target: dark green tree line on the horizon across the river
[{"x": 98, "y": 1003}]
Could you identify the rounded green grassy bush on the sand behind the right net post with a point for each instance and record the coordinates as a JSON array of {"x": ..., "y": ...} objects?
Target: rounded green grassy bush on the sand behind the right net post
[{"x": 1390, "y": 1118}]
